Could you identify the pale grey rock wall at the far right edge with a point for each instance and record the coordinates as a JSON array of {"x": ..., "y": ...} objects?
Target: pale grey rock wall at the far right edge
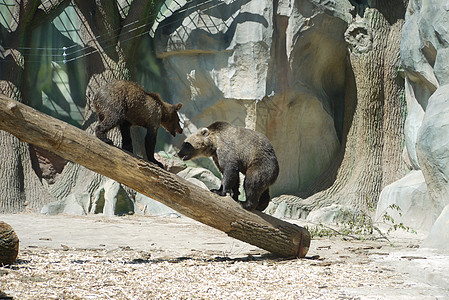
[{"x": 425, "y": 57}]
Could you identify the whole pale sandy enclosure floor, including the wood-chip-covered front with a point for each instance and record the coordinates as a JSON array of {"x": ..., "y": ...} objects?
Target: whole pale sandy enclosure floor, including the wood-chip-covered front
[{"x": 135, "y": 257}]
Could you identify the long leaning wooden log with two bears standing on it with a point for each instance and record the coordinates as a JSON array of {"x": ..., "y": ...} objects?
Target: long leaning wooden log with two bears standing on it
[{"x": 223, "y": 213}]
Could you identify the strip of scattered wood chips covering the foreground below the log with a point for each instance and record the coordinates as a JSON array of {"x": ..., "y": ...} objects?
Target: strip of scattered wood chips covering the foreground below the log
[{"x": 124, "y": 273}]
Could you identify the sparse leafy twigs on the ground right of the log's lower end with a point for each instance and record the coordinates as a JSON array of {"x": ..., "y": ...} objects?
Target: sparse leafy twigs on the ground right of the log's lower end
[{"x": 361, "y": 226}]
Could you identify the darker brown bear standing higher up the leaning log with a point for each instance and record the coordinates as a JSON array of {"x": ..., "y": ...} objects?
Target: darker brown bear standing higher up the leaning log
[{"x": 125, "y": 103}]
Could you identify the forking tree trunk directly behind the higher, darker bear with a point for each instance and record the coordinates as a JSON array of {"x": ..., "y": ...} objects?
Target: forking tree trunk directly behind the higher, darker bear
[{"x": 110, "y": 58}]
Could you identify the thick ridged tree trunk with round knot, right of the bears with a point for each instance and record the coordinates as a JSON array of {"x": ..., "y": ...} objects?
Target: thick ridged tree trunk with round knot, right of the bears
[{"x": 371, "y": 153}]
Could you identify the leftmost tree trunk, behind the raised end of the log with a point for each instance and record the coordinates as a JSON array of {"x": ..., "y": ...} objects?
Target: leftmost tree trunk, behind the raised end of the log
[{"x": 20, "y": 187}]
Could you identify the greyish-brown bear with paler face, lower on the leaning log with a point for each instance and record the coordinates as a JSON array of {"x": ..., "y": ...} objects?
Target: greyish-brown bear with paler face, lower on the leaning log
[{"x": 234, "y": 150}]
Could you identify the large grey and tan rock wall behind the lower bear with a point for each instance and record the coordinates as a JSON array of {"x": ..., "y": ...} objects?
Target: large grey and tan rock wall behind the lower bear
[{"x": 274, "y": 66}]
